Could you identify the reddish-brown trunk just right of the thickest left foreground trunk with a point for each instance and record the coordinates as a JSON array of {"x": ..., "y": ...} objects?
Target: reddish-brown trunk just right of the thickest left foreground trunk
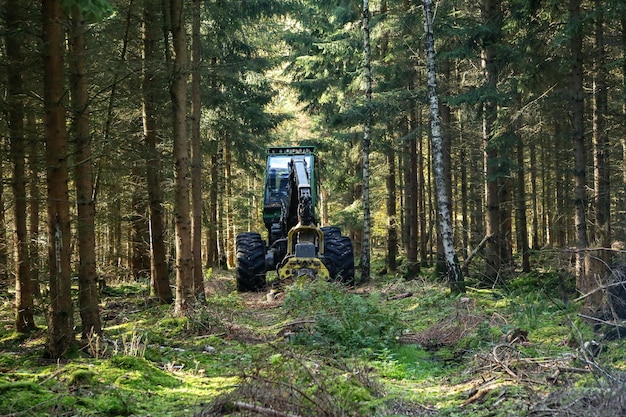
[{"x": 88, "y": 295}]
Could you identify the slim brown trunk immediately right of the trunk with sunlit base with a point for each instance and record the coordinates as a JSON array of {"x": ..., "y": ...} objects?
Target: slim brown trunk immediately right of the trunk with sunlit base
[{"x": 196, "y": 154}]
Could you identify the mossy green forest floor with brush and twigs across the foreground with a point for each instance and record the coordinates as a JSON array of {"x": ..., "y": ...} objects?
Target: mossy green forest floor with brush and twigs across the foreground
[{"x": 388, "y": 348}]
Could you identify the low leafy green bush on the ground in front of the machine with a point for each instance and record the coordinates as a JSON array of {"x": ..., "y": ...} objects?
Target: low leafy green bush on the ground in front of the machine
[{"x": 344, "y": 323}]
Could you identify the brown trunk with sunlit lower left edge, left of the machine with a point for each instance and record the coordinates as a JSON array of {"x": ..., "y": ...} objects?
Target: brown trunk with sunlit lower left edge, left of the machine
[{"x": 178, "y": 90}]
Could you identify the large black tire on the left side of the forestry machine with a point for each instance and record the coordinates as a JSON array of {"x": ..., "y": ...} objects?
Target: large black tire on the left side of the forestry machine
[{"x": 251, "y": 271}]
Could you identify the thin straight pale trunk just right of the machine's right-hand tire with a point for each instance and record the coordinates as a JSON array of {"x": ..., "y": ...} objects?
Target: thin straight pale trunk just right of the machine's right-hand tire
[{"x": 365, "y": 248}]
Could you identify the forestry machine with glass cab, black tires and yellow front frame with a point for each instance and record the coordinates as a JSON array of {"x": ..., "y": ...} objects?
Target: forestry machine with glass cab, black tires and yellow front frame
[{"x": 295, "y": 246}]
